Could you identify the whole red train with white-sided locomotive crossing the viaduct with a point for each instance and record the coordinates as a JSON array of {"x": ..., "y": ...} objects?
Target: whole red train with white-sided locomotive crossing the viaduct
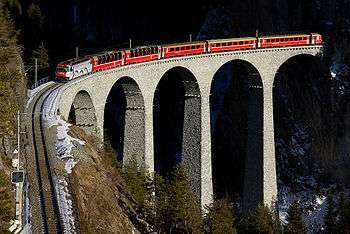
[{"x": 74, "y": 68}]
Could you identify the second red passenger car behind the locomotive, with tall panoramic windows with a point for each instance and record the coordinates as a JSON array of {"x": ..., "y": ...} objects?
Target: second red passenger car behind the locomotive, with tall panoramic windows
[{"x": 142, "y": 54}]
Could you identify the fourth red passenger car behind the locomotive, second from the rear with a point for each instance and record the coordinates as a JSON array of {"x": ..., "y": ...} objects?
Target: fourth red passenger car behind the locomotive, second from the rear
[{"x": 231, "y": 44}]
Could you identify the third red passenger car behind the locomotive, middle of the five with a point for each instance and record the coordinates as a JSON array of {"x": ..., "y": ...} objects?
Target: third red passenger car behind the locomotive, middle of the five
[{"x": 189, "y": 48}]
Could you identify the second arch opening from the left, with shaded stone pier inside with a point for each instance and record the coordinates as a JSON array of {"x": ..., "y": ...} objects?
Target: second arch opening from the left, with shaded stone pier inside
[{"x": 124, "y": 121}]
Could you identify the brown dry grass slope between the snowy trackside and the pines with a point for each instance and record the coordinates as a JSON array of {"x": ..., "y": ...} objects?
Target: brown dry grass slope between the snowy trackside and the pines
[{"x": 102, "y": 204}]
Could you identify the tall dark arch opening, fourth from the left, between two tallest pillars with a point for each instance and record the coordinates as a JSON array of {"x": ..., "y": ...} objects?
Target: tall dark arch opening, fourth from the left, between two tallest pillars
[{"x": 236, "y": 112}]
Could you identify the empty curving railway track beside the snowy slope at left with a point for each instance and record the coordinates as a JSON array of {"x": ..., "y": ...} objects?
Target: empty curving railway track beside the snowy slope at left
[{"x": 45, "y": 216}]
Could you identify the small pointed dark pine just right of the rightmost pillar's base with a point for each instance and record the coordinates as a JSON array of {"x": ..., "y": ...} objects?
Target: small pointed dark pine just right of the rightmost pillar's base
[{"x": 295, "y": 221}]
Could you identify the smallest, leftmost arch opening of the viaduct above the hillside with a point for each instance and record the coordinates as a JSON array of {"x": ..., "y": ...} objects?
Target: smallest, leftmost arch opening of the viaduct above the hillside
[{"x": 82, "y": 113}]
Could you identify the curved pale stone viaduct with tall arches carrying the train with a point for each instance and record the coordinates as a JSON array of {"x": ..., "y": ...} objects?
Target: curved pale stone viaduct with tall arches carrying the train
[{"x": 87, "y": 97}]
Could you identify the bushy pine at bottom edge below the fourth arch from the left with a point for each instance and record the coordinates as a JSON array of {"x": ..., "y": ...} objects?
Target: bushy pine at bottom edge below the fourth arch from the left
[{"x": 219, "y": 218}]
